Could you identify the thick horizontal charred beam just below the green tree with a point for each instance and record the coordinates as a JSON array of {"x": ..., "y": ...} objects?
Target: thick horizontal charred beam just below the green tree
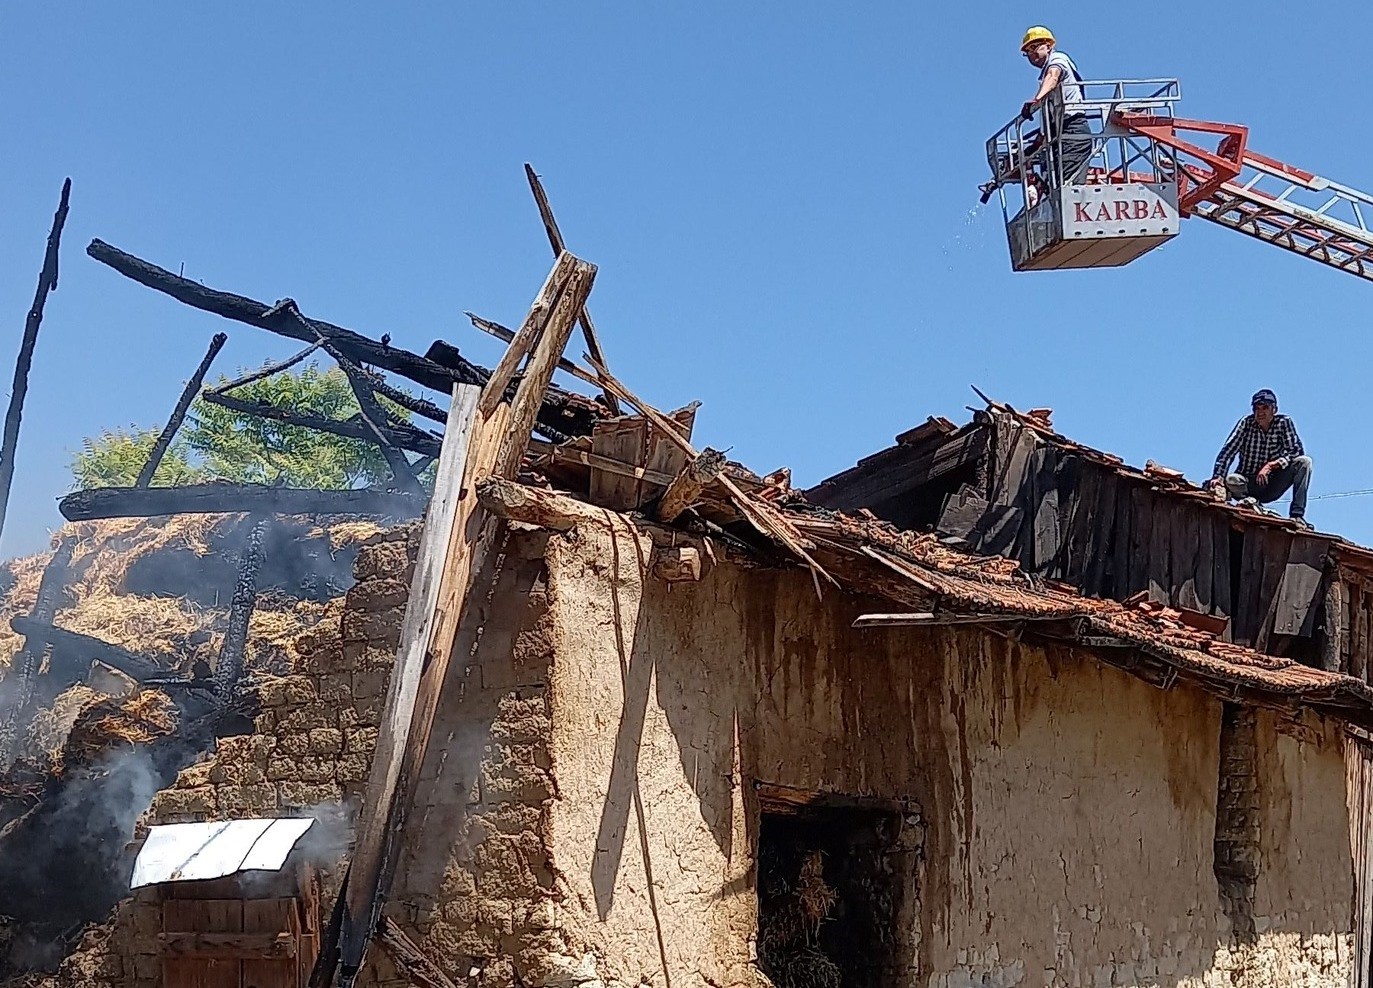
[{"x": 229, "y": 497}]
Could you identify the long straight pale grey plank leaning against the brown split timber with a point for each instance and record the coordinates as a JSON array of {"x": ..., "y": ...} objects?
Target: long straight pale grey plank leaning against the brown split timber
[{"x": 437, "y": 537}]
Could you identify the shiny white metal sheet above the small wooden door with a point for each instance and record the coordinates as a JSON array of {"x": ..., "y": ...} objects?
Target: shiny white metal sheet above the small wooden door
[{"x": 200, "y": 851}]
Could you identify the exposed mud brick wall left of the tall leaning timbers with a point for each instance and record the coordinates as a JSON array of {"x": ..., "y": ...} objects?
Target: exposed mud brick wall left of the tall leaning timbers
[{"x": 311, "y": 750}]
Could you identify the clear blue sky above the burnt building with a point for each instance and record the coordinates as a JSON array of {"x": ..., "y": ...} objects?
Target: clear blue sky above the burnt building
[{"x": 782, "y": 200}]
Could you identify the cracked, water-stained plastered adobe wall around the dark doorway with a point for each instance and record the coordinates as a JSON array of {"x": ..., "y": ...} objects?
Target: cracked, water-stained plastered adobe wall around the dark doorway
[{"x": 1070, "y": 810}]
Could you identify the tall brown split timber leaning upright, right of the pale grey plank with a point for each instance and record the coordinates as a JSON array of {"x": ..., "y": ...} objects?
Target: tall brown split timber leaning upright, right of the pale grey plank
[{"x": 496, "y": 448}]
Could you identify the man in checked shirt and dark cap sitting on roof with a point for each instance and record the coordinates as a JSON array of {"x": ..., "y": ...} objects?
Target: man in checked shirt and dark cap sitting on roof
[{"x": 1272, "y": 460}]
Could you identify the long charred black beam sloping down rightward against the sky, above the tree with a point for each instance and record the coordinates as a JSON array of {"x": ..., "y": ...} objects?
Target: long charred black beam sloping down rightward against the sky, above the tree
[{"x": 275, "y": 319}]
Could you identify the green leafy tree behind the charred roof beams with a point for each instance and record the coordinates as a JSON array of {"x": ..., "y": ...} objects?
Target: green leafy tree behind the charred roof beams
[{"x": 219, "y": 444}]
